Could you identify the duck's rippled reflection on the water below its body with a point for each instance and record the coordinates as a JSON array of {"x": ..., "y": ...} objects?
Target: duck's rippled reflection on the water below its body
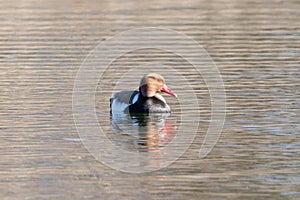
[{"x": 150, "y": 131}]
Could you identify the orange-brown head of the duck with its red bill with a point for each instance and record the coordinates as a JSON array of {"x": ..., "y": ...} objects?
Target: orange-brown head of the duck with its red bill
[{"x": 153, "y": 83}]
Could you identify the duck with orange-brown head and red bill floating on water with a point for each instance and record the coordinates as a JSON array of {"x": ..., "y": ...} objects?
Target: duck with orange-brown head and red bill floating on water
[{"x": 147, "y": 99}]
